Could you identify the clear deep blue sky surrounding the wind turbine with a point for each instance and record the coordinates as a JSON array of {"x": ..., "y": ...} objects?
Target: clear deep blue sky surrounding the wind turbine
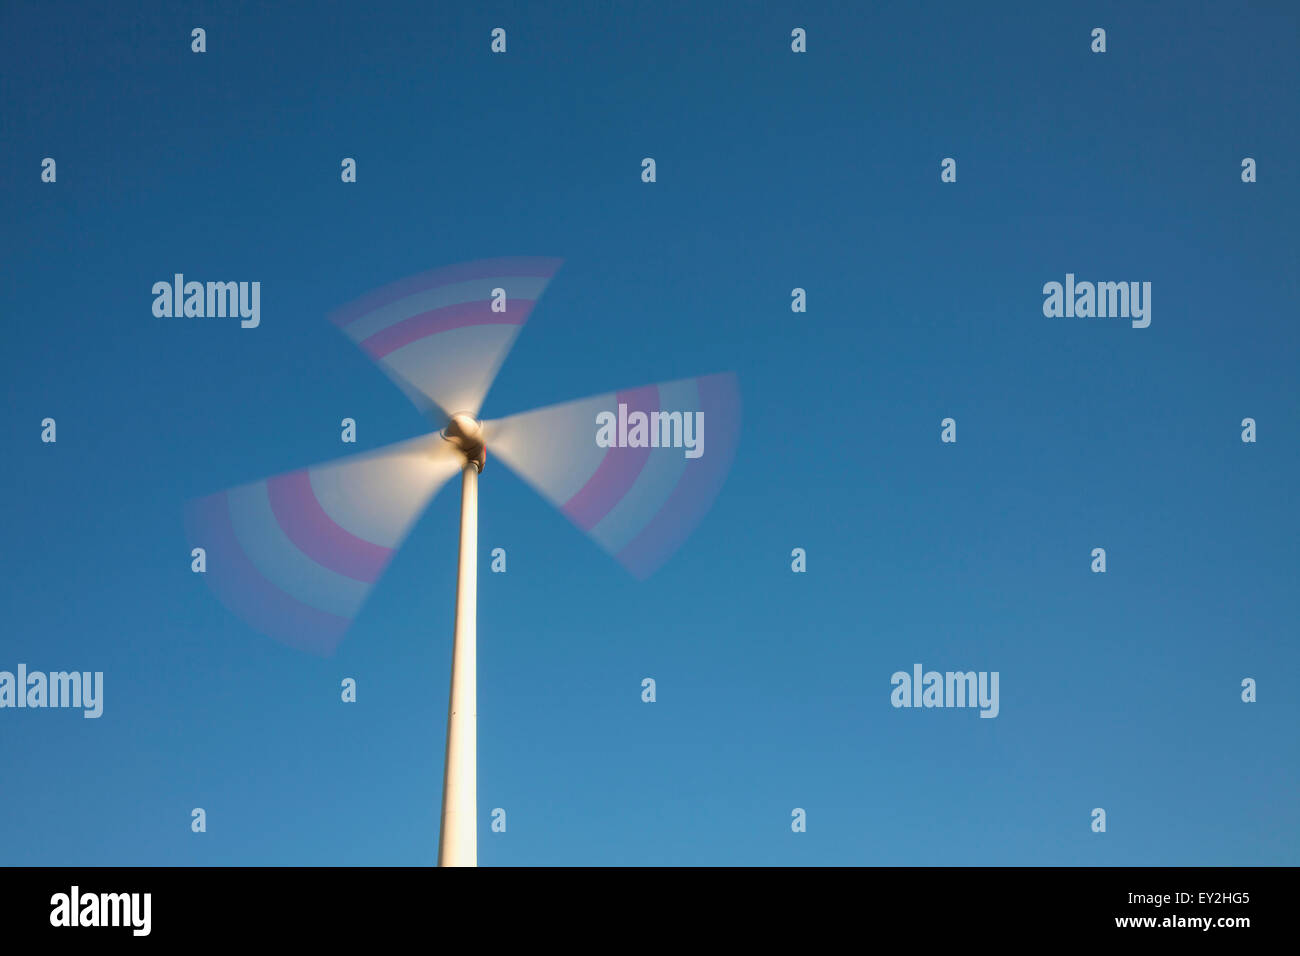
[{"x": 774, "y": 171}]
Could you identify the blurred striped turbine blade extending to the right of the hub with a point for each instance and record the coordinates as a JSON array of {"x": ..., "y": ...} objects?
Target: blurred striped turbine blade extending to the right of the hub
[{"x": 638, "y": 503}]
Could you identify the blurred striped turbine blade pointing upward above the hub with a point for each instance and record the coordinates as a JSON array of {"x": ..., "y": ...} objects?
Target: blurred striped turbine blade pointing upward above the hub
[{"x": 436, "y": 335}]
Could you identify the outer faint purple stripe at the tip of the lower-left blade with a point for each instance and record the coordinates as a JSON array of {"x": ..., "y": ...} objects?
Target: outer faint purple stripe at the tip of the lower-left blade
[{"x": 246, "y": 592}]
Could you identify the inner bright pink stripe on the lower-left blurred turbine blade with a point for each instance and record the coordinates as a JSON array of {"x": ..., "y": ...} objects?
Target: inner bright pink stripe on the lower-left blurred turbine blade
[{"x": 314, "y": 533}]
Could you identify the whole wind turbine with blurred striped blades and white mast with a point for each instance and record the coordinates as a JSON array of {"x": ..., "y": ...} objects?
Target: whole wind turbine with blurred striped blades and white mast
[{"x": 297, "y": 555}]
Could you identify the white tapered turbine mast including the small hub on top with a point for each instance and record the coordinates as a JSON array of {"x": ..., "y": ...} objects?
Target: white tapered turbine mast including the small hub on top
[{"x": 458, "y": 842}]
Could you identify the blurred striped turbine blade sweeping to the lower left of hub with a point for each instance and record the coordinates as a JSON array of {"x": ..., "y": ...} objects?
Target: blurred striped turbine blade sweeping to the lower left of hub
[{"x": 297, "y": 555}]
